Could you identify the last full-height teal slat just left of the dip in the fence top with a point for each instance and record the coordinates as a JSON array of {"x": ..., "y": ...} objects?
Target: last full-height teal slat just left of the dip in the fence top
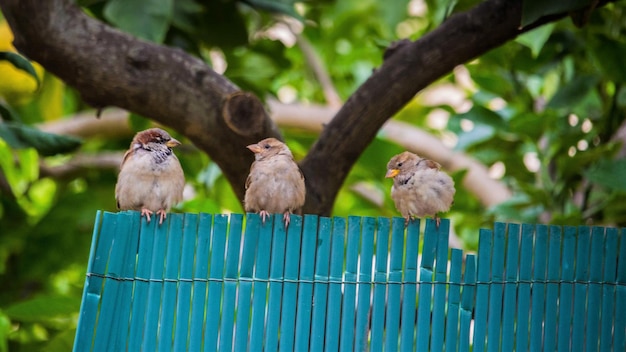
[{"x": 441, "y": 272}]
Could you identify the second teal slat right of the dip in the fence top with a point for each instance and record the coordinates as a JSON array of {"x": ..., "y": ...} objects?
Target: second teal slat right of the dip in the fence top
[{"x": 496, "y": 288}]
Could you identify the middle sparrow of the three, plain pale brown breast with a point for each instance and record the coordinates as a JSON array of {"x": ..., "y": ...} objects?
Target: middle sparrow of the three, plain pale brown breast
[{"x": 275, "y": 183}]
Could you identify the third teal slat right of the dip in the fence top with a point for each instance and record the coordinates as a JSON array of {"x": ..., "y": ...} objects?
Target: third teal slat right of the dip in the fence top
[{"x": 510, "y": 287}]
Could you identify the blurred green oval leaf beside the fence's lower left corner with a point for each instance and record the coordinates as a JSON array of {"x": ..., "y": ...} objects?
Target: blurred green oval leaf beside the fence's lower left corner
[{"x": 43, "y": 308}]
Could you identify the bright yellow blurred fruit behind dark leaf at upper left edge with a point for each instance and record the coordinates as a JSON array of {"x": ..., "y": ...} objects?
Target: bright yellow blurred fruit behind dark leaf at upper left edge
[{"x": 16, "y": 86}]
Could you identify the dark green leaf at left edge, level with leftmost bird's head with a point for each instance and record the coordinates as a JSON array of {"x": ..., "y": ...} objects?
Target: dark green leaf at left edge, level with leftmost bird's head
[{"x": 20, "y": 136}]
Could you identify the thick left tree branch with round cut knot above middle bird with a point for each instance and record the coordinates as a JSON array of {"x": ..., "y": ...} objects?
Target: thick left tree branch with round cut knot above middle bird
[{"x": 109, "y": 67}]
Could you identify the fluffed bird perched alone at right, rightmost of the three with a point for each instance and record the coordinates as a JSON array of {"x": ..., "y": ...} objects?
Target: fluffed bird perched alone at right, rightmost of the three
[{"x": 419, "y": 188}]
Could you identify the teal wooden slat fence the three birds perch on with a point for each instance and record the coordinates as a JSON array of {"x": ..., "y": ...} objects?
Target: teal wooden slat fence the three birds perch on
[{"x": 203, "y": 282}]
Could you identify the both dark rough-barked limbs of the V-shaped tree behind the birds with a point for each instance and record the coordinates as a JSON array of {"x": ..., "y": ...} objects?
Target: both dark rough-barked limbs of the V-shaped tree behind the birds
[{"x": 109, "y": 67}]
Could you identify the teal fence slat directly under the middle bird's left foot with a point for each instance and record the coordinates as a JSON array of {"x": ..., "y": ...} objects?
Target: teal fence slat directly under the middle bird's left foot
[{"x": 259, "y": 287}]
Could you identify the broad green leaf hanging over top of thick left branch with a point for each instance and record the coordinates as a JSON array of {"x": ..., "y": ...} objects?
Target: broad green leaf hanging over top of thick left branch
[{"x": 148, "y": 19}]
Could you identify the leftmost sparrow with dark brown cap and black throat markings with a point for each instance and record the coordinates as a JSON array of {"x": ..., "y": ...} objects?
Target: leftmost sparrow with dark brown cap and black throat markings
[{"x": 150, "y": 179}]
